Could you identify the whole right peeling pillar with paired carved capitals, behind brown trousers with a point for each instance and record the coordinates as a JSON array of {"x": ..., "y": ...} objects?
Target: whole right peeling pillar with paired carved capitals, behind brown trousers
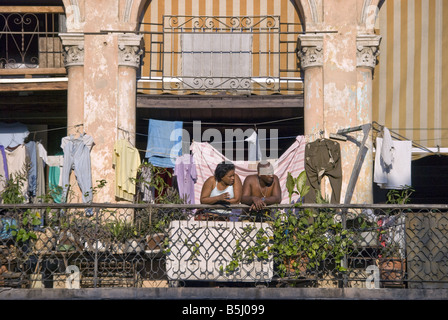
[{"x": 337, "y": 62}]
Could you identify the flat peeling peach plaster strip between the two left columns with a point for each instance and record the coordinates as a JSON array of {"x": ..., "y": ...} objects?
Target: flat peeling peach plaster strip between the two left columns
[{"x": 100, "y": 106}]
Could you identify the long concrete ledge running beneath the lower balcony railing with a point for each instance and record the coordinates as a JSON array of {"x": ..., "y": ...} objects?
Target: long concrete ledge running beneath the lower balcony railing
[{"x": 223, "y": 294}]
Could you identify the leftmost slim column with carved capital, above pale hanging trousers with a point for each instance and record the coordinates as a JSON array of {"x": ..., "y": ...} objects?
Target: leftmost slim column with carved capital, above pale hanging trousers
[{"x": 73, "y": 45}]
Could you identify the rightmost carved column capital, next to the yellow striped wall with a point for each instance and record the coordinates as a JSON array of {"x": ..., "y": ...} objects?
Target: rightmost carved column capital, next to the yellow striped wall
[{"x": 367, "y": 46}]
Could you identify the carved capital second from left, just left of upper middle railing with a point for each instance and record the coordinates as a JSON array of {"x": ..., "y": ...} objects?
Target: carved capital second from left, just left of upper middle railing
[{"x": 129, "y": 49}]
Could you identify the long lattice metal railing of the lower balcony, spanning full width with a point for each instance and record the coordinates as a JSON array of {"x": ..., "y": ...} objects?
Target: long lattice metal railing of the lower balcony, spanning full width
[{"x": 59, "y": 246}]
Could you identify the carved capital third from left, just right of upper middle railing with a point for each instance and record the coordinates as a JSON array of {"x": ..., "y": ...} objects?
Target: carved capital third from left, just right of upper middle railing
[{"x": 310, "y": 50}]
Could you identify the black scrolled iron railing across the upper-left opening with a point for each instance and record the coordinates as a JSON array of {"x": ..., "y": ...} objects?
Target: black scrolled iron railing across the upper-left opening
[{"x": 30, "y": 40}]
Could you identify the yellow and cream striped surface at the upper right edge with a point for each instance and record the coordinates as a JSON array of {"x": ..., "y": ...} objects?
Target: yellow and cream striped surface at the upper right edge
[{"x": 410, "y": 90}]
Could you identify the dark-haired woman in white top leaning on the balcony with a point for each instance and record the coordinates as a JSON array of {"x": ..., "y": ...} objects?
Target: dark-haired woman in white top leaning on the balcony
[{"x": 224, "y": 187}]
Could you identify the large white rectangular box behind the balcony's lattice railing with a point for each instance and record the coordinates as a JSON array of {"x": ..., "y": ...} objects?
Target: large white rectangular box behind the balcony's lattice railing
[{"x": 205, "y": 250}]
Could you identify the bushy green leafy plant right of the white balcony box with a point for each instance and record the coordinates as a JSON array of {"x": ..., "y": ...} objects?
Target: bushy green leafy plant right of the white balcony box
[{"x": 305, "y": 238}]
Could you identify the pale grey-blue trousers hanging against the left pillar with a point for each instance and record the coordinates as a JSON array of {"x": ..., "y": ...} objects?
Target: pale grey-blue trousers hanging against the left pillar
[{"x": 77, "y": 158}]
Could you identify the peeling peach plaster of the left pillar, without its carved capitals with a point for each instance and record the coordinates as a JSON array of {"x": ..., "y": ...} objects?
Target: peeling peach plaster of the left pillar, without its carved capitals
[{"x": 101, "y": 93}]
